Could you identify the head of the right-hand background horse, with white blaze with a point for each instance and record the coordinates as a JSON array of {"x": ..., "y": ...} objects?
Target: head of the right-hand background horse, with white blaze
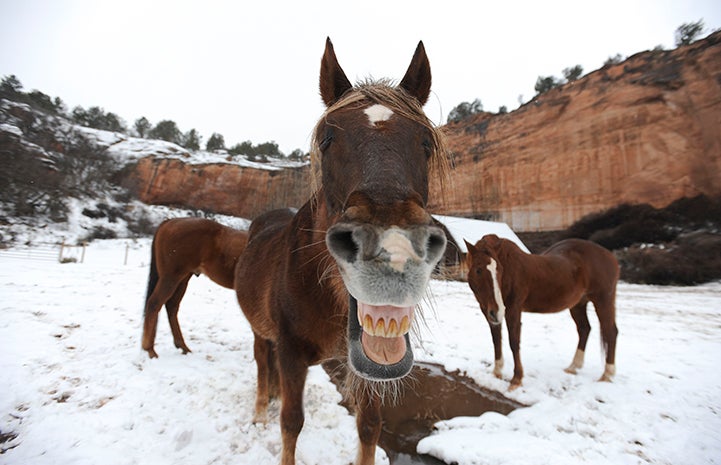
[{"x": 485, "y": 275}]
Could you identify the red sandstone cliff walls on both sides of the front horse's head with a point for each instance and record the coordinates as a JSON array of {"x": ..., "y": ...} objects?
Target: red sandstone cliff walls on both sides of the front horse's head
[{"x": 647, "y": 130}]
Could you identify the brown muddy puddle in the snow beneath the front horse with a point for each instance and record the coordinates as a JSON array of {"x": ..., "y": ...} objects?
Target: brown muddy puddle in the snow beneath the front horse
[{"x": 433, "y": 395}]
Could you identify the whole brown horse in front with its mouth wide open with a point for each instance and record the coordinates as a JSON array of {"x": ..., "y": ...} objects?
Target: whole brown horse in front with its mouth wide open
[{"x": 340, "y": 279}]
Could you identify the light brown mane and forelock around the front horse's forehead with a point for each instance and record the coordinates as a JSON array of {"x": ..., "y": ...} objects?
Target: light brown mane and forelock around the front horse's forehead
[{"x": 399, "y": 101}]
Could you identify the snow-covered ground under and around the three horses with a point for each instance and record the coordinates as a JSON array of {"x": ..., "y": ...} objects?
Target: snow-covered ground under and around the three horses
[{"x": 76, "y": 389}]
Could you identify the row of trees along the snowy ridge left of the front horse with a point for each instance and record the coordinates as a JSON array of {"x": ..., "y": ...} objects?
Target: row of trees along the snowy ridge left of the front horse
[{"x": 97, "y": 118}]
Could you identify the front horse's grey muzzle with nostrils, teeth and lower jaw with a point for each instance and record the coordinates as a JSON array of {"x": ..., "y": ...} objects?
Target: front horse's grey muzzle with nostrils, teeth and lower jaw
[{"x": 386, "y": 272}]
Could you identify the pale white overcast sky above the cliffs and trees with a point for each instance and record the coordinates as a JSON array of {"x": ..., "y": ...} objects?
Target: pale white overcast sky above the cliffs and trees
[{"x": 249, "y": 69}]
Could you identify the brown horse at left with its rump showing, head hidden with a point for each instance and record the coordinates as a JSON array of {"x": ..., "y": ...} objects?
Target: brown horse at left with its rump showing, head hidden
[{"x": 183, "y": 247}]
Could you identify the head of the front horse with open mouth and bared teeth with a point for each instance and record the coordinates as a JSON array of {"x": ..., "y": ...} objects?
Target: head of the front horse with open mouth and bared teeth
[{"x": 373, "y": 150}]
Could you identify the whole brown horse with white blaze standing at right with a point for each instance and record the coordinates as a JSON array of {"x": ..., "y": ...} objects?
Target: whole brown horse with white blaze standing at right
[{"x": 569, "y": 274}]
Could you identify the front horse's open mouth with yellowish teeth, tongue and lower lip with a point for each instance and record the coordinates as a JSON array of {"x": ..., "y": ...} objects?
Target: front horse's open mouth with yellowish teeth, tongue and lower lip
[{"x": 378, "y": 343}]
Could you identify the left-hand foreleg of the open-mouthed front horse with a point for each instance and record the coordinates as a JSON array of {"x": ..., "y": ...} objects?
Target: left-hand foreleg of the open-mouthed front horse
[{"x": 293, "y": 372}]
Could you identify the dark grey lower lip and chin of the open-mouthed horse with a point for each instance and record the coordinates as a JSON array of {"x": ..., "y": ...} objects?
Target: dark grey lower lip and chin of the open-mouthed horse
[{"x": 359, "y": 361}]
